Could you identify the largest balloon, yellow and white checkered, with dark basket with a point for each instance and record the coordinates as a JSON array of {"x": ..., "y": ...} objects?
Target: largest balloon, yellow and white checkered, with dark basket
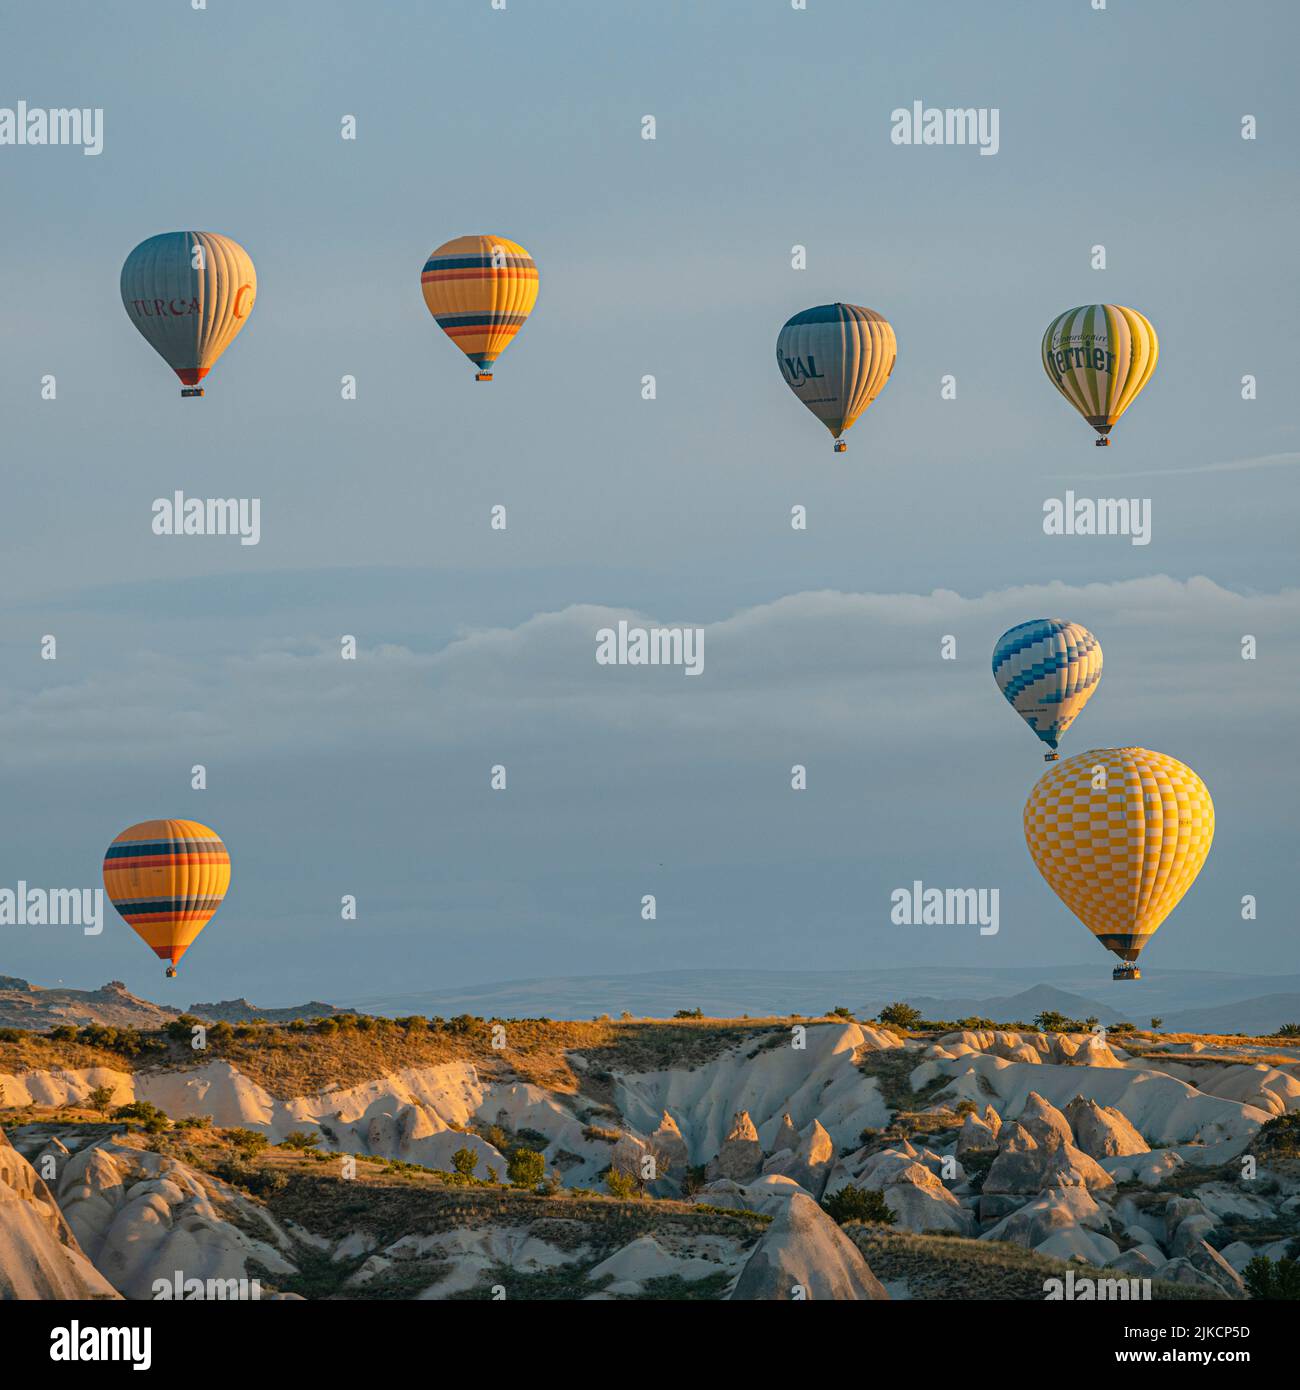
[{"x": 1120, "y": 835}]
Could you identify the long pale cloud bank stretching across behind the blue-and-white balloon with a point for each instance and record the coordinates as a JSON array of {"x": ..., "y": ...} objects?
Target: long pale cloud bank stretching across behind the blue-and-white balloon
[{"x": 828, "y": 671}]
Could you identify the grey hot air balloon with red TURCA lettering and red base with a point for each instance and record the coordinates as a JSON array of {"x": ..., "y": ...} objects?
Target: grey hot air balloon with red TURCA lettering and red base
[{"x": 190, "y": 294}]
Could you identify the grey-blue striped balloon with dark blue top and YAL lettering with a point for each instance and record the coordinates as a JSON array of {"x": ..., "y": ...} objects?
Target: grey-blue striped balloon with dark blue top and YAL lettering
[{"x": 836, "y": 359}]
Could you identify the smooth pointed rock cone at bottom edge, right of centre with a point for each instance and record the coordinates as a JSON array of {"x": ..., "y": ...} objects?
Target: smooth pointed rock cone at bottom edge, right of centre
[{"x": 806, "y": 1250}]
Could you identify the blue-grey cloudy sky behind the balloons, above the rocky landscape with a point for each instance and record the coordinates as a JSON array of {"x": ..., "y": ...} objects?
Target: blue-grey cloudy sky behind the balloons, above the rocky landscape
[{"x": 671, "y": 258}]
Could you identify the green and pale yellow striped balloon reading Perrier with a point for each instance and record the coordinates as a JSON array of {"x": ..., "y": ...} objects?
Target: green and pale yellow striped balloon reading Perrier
[{"x": 1099, "y": 358}]
